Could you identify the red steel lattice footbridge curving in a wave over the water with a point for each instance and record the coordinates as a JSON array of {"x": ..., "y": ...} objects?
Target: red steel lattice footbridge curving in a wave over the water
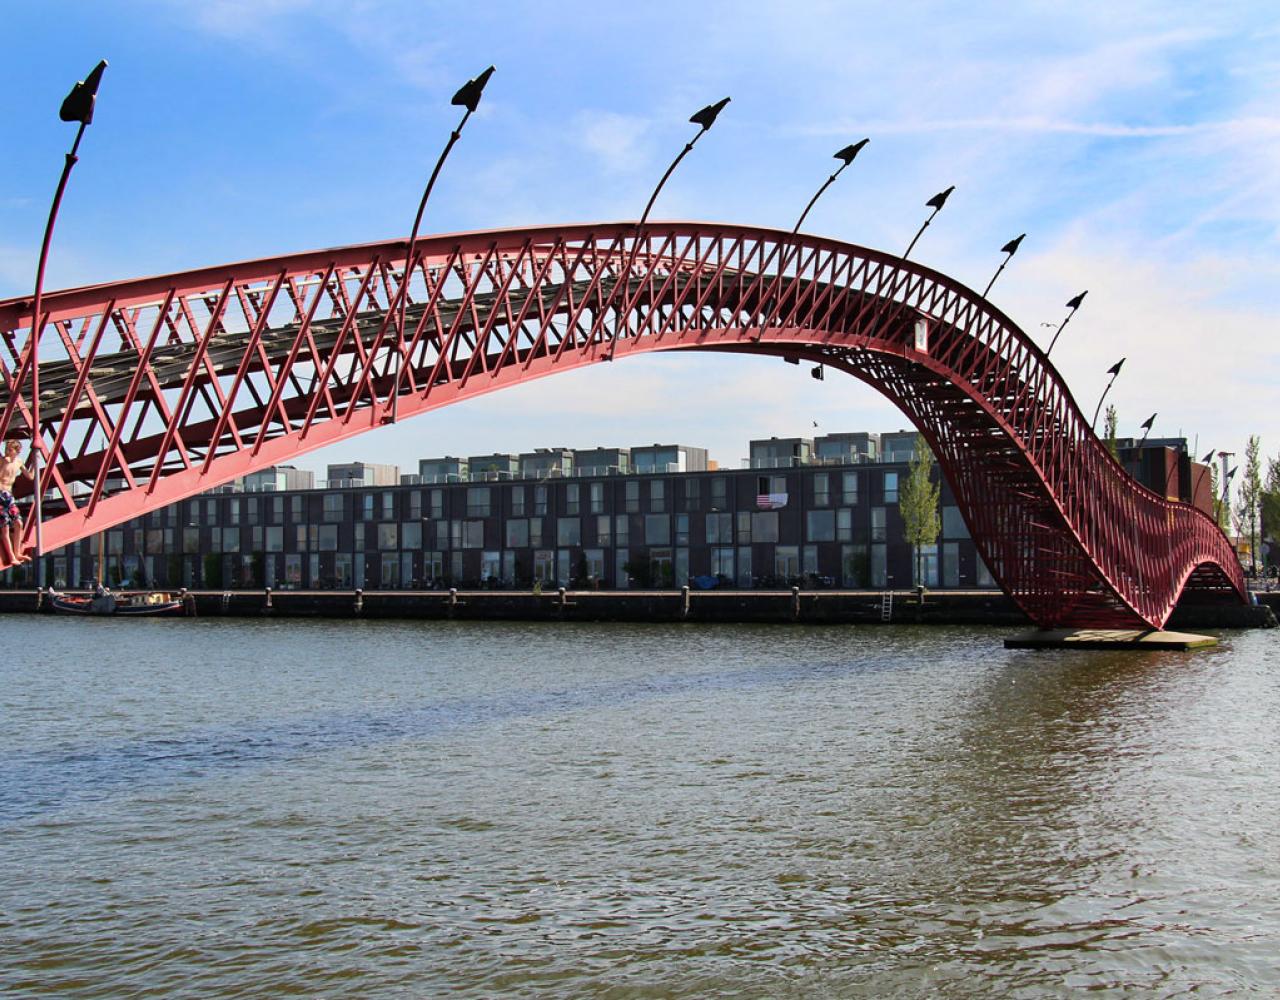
[{"x": 158, "y": 389}]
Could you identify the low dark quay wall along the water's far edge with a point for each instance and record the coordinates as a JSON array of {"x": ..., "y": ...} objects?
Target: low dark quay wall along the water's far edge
[{"x": 863, "y": 608}]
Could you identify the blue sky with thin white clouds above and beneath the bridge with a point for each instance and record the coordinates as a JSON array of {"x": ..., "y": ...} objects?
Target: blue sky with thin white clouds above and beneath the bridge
[{"x": 1137, "y": 144}]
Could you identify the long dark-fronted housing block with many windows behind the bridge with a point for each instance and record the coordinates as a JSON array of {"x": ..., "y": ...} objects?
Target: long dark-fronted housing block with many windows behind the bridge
[{"x": 811, "y": 526}]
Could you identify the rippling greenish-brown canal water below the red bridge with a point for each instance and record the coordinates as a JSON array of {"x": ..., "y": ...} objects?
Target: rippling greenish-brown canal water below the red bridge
[{"x": 267, "y": 809}]
